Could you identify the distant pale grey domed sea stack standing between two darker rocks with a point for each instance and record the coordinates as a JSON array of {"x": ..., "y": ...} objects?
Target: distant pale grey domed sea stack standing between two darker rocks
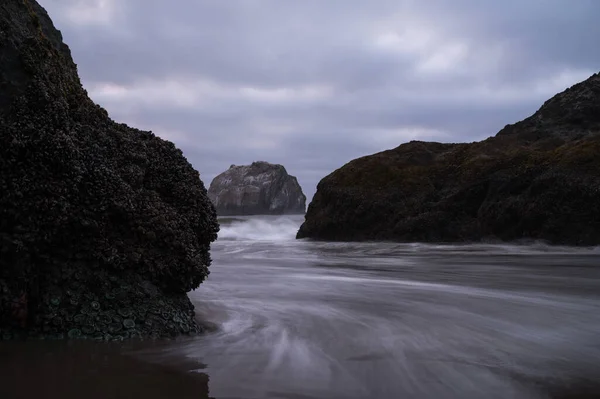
[{"x": 257, "y": 189}]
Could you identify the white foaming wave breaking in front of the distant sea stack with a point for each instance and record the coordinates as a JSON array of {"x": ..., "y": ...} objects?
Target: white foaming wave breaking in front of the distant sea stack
[{"x": 280, "y": 228}]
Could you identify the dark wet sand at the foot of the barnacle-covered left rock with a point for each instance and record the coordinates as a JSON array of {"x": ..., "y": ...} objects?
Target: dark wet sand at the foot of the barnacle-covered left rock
[{"x": 91, "y": 370}]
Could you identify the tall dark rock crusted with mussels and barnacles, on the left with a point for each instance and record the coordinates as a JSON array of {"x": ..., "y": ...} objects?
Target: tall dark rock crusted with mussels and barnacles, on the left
[{"x": 103, "y": 228}]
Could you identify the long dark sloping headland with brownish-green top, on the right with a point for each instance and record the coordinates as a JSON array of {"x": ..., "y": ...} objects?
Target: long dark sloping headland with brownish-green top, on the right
[{"x": 536, "y": 179}]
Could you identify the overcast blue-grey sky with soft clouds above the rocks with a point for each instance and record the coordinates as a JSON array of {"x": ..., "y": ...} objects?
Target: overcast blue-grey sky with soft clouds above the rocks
[{"x": 313, "y": 84}]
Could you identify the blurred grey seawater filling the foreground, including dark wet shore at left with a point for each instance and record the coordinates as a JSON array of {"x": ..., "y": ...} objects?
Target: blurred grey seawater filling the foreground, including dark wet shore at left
[{"x": 297, "y": 319}]
